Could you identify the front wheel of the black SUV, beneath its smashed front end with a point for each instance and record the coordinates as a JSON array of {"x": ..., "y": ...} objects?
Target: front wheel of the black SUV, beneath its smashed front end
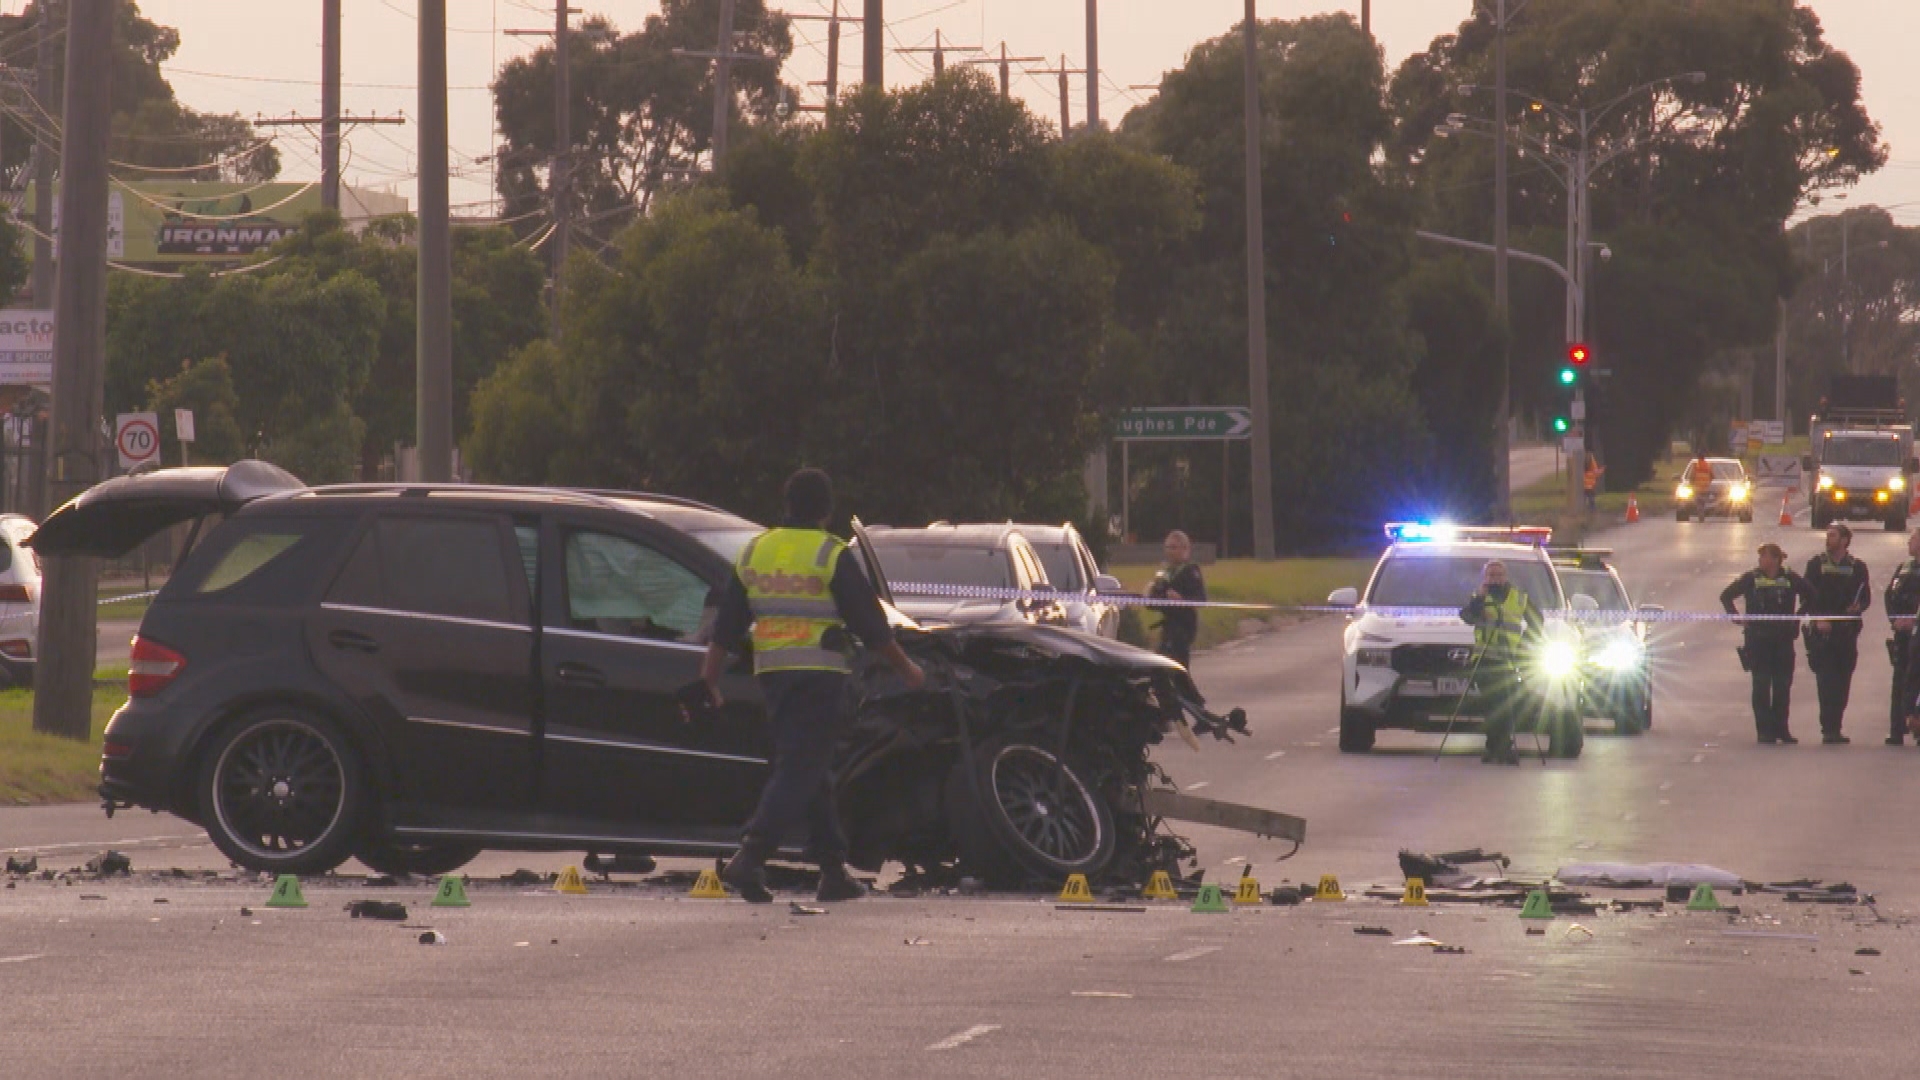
[{"x": 1024, "y": 816}]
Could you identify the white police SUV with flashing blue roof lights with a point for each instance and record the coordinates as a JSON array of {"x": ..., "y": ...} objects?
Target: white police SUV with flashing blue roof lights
[{"x": 1410, "y": 658}]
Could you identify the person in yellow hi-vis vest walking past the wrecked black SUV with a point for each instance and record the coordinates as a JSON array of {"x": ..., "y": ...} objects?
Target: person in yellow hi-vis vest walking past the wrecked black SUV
[{"x": 796, "y": 595}]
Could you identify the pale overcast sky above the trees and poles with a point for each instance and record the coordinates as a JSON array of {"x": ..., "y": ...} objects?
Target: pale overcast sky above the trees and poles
[{"x": 235, "y": 59}]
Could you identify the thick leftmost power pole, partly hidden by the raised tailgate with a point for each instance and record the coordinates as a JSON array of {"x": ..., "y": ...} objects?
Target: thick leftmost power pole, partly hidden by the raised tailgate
[{"x": 64, "y": 687}]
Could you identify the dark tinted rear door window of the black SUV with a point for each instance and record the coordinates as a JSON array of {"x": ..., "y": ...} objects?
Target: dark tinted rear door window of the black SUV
[{"x": 431, "y": 566}]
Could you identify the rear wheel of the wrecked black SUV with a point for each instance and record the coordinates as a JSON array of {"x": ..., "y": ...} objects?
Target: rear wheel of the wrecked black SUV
[{"x": 283, "y": 793}]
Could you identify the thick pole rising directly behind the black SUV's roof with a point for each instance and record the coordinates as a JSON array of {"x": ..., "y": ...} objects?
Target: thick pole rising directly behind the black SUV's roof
[{"x": 435, "y": 301}]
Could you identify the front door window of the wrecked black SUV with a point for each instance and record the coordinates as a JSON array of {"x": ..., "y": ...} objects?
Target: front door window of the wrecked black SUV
[{"x": 623, "y": 587}]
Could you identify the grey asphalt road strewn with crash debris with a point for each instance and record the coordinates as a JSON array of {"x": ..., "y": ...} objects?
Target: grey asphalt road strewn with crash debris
[{"x": 642, "y": 981}]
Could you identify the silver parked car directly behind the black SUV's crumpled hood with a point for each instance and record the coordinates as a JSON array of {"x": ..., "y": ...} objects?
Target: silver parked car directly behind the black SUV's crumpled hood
[{"x": 967, "y": 556}]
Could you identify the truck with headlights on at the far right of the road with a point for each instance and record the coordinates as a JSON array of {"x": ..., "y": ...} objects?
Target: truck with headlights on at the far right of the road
[{"x": 1861, "y": 454}]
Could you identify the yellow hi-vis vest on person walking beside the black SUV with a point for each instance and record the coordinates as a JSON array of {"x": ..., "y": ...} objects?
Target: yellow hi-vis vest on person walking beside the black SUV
[{"x": 788, "y": 576}]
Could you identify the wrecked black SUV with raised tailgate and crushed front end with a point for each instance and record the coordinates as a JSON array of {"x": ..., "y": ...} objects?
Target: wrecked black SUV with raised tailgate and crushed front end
[{"x": 416, "y": 674}]
